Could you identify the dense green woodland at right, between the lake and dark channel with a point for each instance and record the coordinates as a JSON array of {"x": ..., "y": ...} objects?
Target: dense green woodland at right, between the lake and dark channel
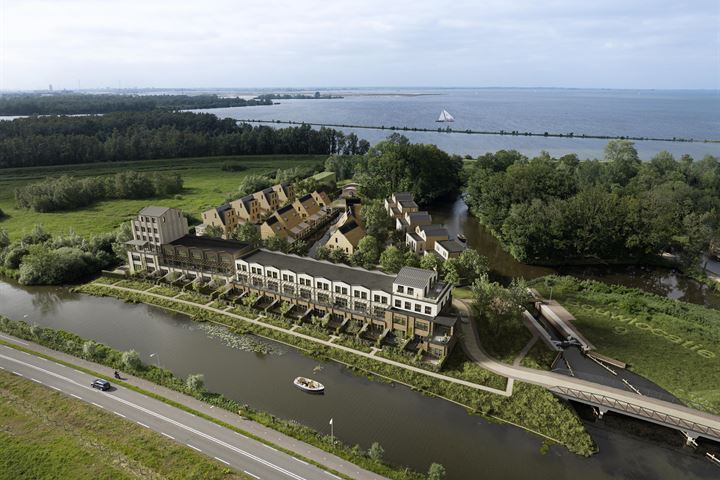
[{"x": 556, "y": 210}]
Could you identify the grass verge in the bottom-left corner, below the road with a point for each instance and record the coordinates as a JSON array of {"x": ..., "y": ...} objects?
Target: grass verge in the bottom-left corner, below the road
[{"x": 47, "y": 435}]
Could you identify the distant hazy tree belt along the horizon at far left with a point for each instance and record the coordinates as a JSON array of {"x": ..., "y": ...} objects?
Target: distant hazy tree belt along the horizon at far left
[{"x": 75, "y": 103}]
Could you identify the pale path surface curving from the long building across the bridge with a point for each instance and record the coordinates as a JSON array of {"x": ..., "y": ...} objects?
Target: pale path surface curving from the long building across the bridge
[{"x": 552, "y": 381}]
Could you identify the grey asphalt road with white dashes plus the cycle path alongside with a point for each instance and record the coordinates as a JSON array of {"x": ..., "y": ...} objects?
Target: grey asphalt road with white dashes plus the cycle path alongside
[{"x": 240, "y": 452}]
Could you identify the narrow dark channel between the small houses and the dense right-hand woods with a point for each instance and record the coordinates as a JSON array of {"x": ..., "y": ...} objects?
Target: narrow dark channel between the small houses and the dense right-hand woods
[{"x": 661, "y": 281}]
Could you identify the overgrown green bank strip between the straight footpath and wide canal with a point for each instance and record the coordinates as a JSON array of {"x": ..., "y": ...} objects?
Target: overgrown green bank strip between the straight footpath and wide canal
[{"x": 530, "y": 407}]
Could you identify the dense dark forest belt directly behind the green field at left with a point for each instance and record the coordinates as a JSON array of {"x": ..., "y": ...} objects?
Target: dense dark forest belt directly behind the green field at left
[{"x": 41, "y": 141}]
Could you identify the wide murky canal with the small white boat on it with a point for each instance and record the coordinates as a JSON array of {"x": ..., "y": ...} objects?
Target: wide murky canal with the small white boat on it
[{"x": 414, "y": 430}]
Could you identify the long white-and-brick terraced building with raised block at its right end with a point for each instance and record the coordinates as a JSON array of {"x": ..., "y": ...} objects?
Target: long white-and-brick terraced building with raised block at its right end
[{"x": 412, "y": 304}]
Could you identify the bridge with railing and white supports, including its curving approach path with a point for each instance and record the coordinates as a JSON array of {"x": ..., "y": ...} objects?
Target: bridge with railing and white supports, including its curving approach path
[{"x": 693, "y": 423}]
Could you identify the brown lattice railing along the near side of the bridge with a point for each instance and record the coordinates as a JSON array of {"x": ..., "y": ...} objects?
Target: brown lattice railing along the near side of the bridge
[{"x": 637, "y": 410}]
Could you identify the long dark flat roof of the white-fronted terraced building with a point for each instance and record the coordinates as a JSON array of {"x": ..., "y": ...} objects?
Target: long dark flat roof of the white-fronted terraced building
[{"x": 372, "y": 279}]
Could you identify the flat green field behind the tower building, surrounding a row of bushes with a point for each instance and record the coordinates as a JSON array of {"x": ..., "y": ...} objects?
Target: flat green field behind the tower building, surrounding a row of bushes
[{"x": 206, "y": 186}]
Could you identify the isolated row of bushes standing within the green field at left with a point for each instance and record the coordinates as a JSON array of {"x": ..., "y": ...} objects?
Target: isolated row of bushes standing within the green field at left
[{"x": 67, "y": 193}]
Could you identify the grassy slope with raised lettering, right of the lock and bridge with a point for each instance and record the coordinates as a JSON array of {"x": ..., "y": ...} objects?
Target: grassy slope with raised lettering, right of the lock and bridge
[{"x": 674, "y": 344}]
